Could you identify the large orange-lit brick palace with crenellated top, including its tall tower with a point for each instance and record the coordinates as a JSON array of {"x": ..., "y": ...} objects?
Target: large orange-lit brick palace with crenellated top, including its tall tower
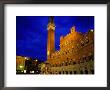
[{"x": 76, "y": 54}]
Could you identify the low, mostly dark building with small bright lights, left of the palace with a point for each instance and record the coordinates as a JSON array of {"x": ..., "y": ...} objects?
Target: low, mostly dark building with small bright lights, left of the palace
[{"x": 27, "y": 65}]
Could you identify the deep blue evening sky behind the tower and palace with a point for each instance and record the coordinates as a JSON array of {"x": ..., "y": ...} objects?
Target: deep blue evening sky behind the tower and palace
[{"x": 31, "y": 32}]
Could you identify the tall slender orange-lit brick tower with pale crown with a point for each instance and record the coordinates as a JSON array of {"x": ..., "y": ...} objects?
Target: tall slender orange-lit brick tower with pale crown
[{"x": 51, "y": 37}]
